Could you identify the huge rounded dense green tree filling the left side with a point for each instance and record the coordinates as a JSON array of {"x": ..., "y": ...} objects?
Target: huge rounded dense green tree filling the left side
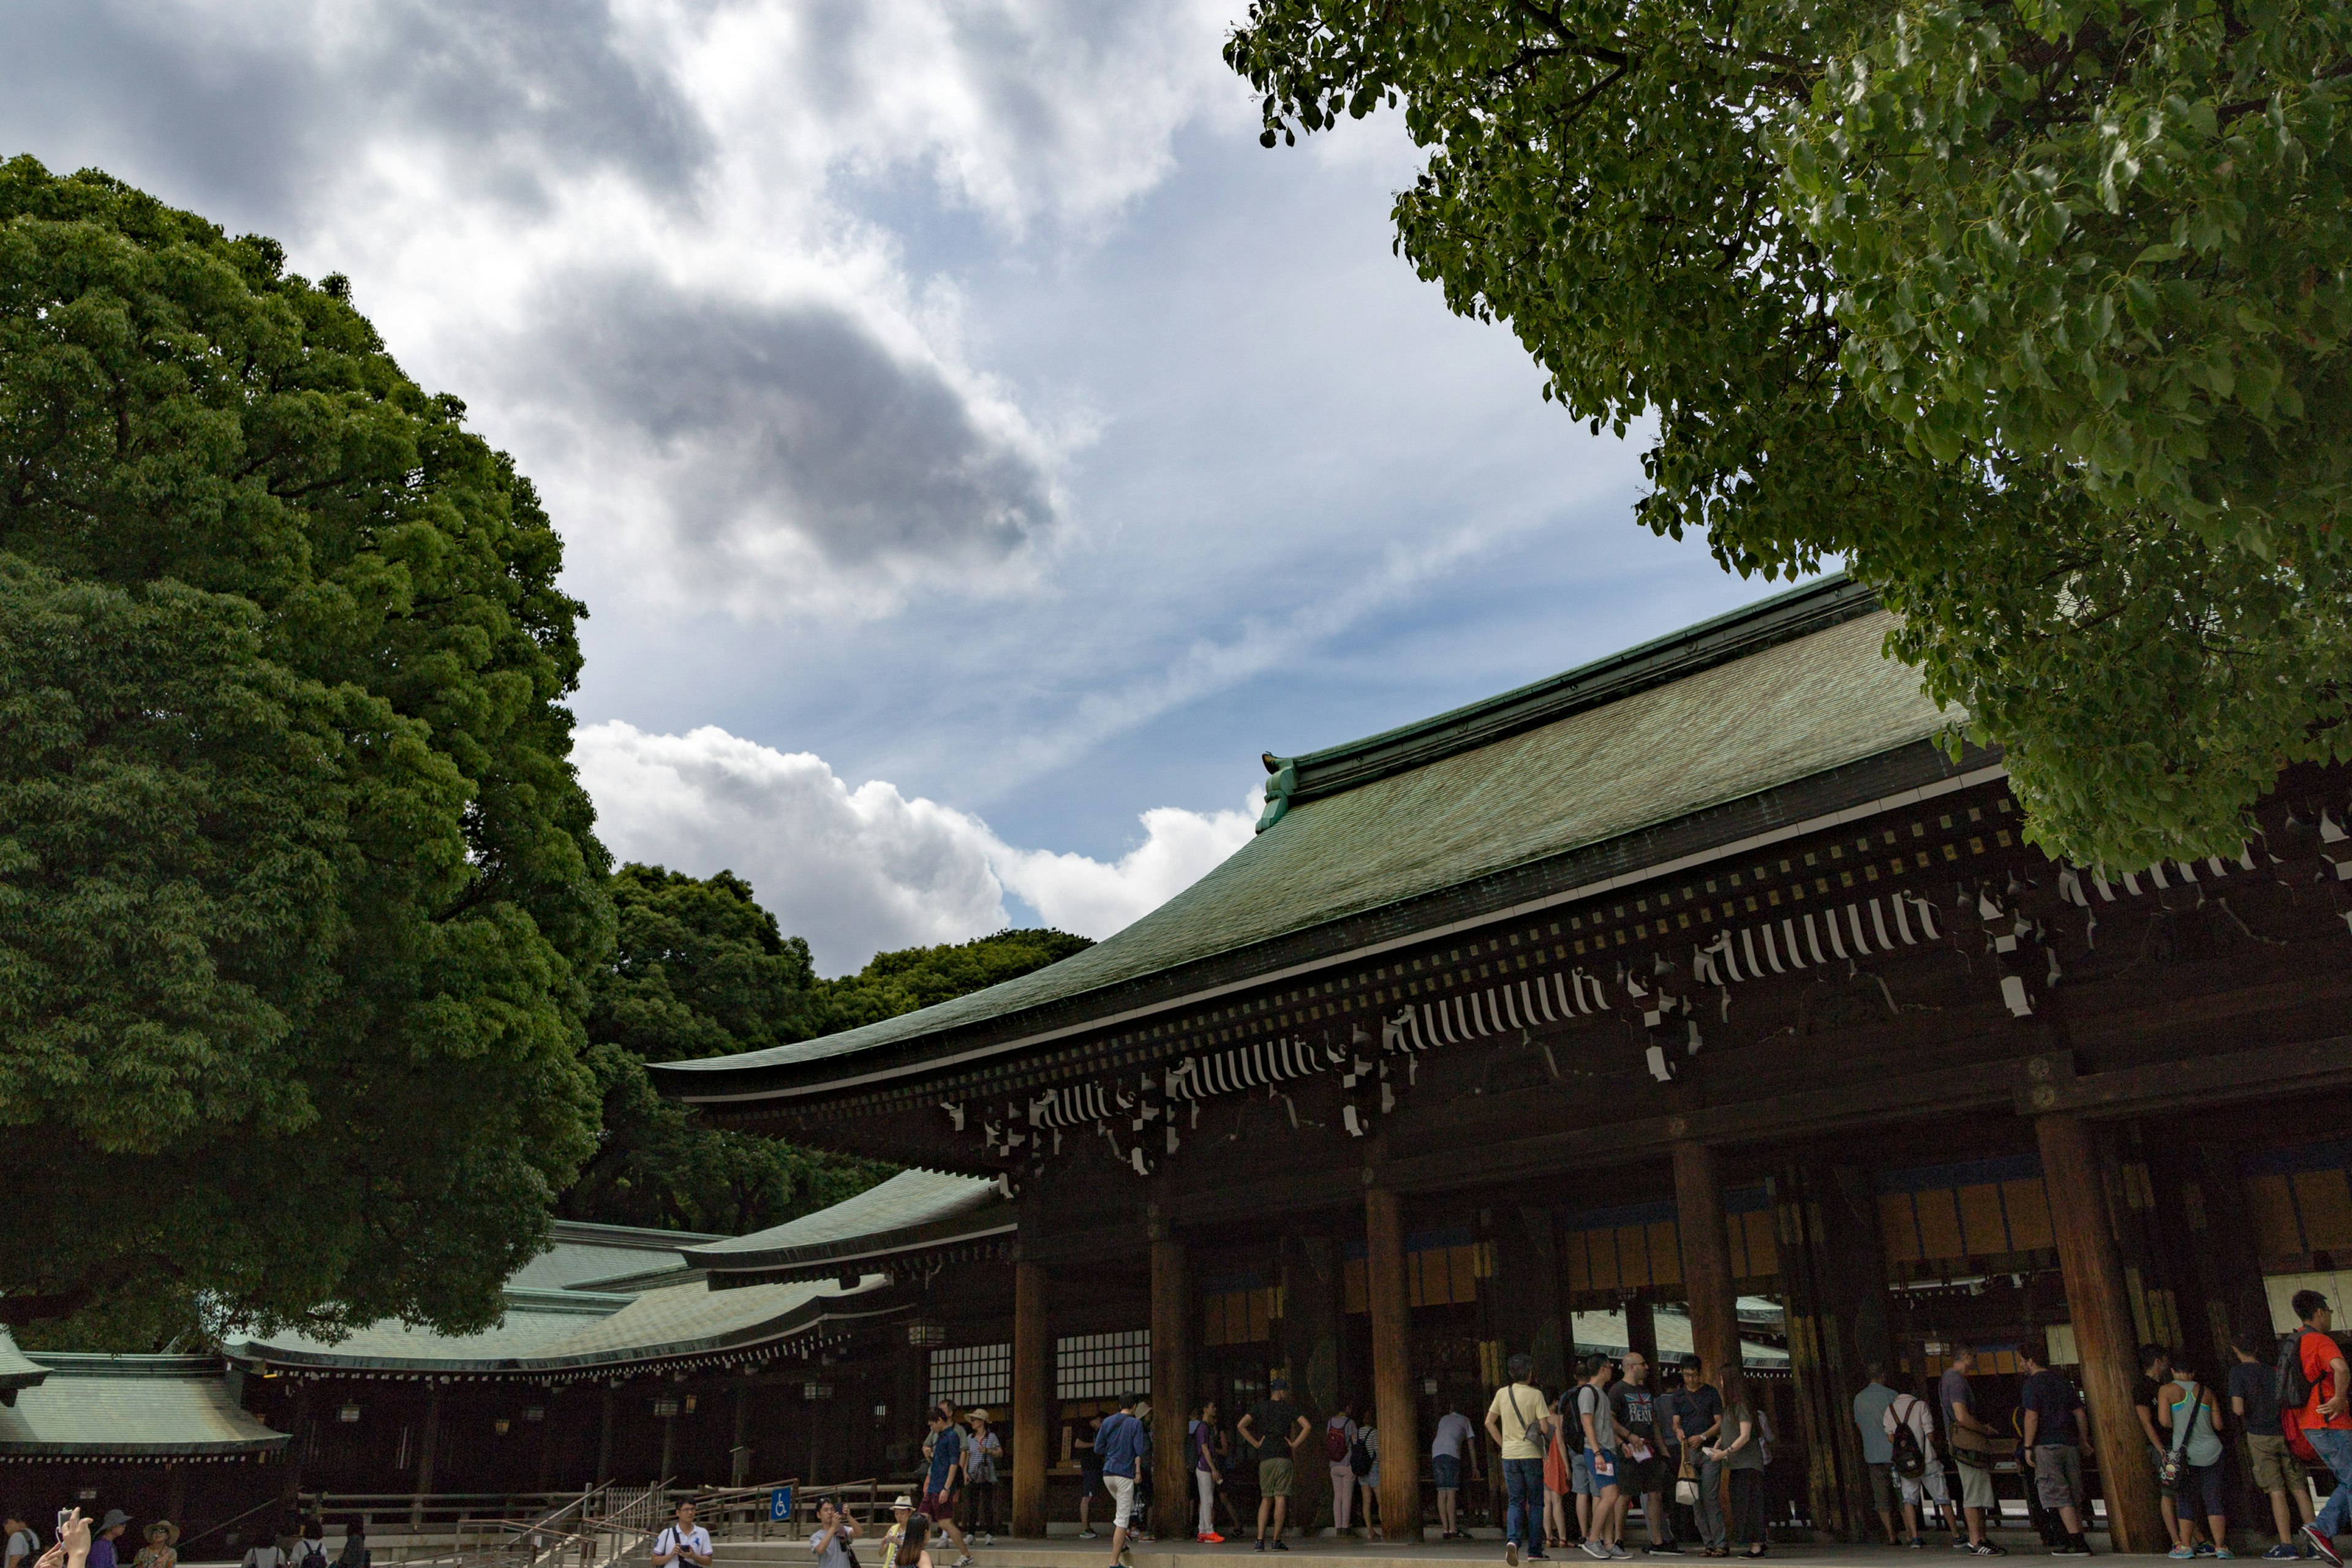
[{"x": 298, "y": 885}]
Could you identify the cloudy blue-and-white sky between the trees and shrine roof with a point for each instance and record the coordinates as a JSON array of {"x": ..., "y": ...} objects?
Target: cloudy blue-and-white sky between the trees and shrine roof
[{"x": 973, "y": 448}]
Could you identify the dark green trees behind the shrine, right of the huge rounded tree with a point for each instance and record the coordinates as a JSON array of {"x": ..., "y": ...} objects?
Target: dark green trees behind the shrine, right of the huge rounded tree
[{"x": 702, "y": 970}]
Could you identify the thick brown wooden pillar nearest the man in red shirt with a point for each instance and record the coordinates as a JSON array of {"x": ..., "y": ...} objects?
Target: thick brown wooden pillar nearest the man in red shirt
[{"x": 2104, "y": 1339}]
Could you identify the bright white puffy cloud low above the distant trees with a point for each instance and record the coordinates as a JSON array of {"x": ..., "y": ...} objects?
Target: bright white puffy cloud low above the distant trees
[{"x": 860, "y": 871}]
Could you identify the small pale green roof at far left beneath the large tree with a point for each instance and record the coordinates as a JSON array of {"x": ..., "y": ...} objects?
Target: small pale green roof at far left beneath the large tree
[{"x": 131, "y": 1407}]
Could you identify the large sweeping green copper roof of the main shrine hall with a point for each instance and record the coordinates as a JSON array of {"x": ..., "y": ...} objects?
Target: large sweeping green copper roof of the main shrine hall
[{"x": 1718, "y": 713}]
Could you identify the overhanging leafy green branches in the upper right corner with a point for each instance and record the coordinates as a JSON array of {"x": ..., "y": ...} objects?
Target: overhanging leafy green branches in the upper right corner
[{"x": 2033, "y": 311}]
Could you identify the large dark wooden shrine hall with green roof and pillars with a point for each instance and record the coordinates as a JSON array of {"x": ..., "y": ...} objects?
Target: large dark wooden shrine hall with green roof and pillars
[{"x": 1702, "y": 998}]
